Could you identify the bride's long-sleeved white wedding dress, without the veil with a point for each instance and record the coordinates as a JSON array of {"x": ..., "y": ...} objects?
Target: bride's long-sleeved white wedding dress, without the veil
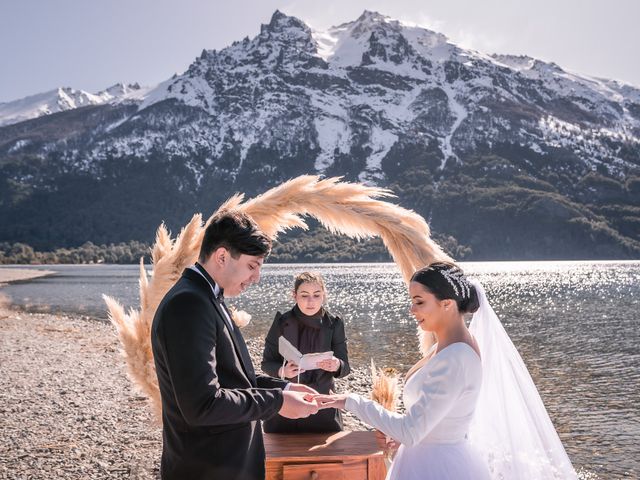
[{"x": 440, "y": 400}]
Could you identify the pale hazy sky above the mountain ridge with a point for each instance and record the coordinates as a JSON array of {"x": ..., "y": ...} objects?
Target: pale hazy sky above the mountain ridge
[{"x": 92, "y": 44}]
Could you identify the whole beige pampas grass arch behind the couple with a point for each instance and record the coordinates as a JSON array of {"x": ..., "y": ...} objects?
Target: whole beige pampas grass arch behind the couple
[{"x": 351, "y": 209}]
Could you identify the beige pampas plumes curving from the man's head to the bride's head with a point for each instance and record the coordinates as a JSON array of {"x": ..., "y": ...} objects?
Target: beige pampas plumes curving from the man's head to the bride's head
[{"x": 350, "y": 209}]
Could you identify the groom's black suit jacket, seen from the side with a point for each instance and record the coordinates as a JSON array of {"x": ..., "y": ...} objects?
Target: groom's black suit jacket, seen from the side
[{"x": 212, "y": 400}]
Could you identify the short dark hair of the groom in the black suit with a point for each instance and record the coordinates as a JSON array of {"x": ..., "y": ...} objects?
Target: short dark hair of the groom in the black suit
[{"x": 237, "y": 232}]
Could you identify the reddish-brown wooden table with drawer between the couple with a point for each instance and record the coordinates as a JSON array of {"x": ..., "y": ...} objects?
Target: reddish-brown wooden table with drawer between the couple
[{"x": 327, "y": 456}]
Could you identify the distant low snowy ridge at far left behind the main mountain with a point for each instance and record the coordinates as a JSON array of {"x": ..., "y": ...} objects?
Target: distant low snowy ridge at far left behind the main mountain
[{"x": 64, "y": 98}]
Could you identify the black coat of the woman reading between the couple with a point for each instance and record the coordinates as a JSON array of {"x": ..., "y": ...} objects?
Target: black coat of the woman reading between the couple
[{"x": 332, "y": 337}]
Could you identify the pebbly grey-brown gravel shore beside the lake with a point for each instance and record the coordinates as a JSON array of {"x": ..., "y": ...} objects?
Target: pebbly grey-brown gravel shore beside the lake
[{"x": 67, "y": 408}]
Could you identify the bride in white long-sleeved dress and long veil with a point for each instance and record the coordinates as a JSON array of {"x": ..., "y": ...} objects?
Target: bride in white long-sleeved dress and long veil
[{"x": 472, "y": 410}]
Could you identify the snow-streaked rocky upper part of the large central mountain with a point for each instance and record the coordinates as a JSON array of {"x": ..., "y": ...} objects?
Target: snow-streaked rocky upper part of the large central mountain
[{"x": 411, "y": 84}]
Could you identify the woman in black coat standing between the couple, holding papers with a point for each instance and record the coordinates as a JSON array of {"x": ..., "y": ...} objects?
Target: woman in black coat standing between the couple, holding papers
[{"x": 311, "y": 329}]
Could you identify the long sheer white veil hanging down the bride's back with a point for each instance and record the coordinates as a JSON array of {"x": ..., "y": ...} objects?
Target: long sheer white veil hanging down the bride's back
[{"x": 511, "y": 427}]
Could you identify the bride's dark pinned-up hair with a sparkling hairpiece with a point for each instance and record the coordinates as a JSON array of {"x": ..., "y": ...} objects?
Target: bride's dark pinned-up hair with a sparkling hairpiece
[{"x": 447, "y": 281}]
